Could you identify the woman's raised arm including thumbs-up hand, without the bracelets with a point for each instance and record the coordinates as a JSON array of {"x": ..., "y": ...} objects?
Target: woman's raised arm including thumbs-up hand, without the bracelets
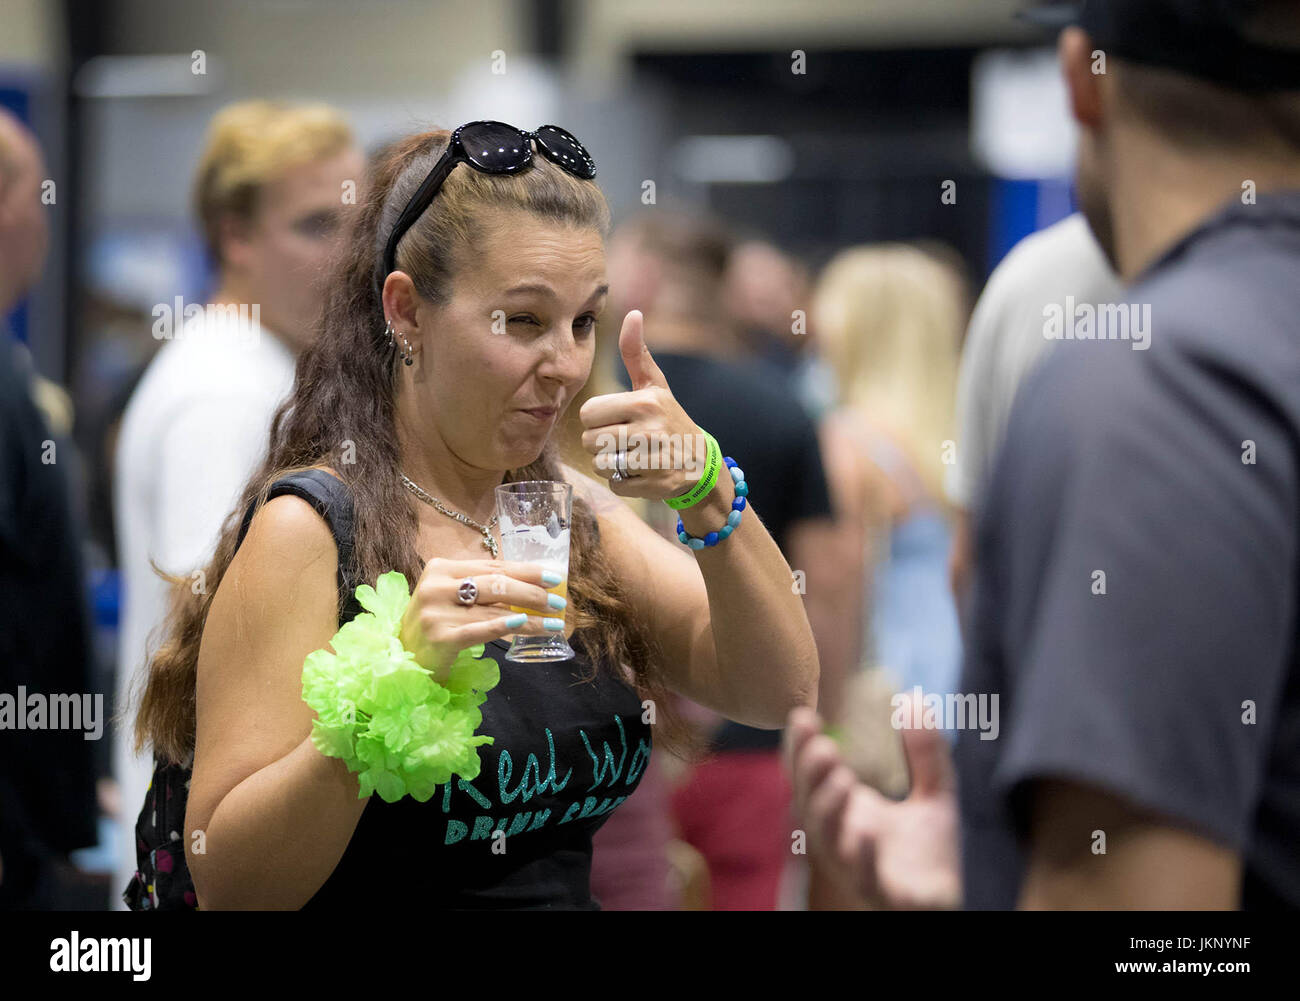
[{"x": 733, "y": 623}]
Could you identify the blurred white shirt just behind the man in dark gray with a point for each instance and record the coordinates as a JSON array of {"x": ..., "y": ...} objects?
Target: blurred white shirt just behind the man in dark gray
[{"x": 1007, "y": 337}]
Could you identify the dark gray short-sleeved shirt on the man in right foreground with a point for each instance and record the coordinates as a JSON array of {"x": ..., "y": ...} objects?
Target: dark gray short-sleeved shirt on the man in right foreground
[{"x": 1172, "y": 681}]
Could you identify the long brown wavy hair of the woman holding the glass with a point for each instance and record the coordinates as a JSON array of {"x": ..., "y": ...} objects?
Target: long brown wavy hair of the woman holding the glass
[{"x": 341, "y": 414}]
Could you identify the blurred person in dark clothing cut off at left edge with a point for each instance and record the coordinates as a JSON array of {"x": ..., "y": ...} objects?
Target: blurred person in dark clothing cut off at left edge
[{"x": 47, "y": 777}]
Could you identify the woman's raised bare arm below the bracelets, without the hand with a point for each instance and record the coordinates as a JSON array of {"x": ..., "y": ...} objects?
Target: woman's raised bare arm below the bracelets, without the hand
[{"x": 720, "y": 613}]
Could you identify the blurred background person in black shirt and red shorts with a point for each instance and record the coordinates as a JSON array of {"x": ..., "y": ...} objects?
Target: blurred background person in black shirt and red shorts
[{"x": 671, "y": 265}]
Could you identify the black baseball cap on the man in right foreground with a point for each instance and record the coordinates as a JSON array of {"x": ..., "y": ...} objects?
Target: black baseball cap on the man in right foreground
[{"x": 1201, "y": 38}]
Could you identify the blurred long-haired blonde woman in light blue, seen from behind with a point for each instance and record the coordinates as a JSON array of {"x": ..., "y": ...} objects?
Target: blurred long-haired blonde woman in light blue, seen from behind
[{"x": 890, "y": 320}]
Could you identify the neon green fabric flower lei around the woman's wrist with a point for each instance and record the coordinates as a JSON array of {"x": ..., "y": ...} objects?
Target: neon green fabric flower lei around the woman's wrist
[{"x": 384, "y": 714}]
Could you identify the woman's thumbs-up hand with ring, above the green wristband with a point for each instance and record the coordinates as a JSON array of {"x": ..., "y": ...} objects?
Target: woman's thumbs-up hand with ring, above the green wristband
[{"x": 662, "y": 449}]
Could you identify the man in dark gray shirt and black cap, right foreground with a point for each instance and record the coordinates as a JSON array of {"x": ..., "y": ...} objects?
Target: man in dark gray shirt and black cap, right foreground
[{"x": 1136, "y": 595}]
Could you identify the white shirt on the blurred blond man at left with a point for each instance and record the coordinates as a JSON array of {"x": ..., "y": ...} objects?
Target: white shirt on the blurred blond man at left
[{"x": 196, "y": 430}]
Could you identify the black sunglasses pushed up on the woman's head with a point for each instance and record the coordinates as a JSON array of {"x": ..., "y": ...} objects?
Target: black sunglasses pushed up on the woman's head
[{"x": 493, "y": 149}]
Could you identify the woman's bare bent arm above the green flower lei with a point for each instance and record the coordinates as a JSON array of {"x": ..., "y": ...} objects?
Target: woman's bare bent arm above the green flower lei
[{"x": 275, "y": 813}]
